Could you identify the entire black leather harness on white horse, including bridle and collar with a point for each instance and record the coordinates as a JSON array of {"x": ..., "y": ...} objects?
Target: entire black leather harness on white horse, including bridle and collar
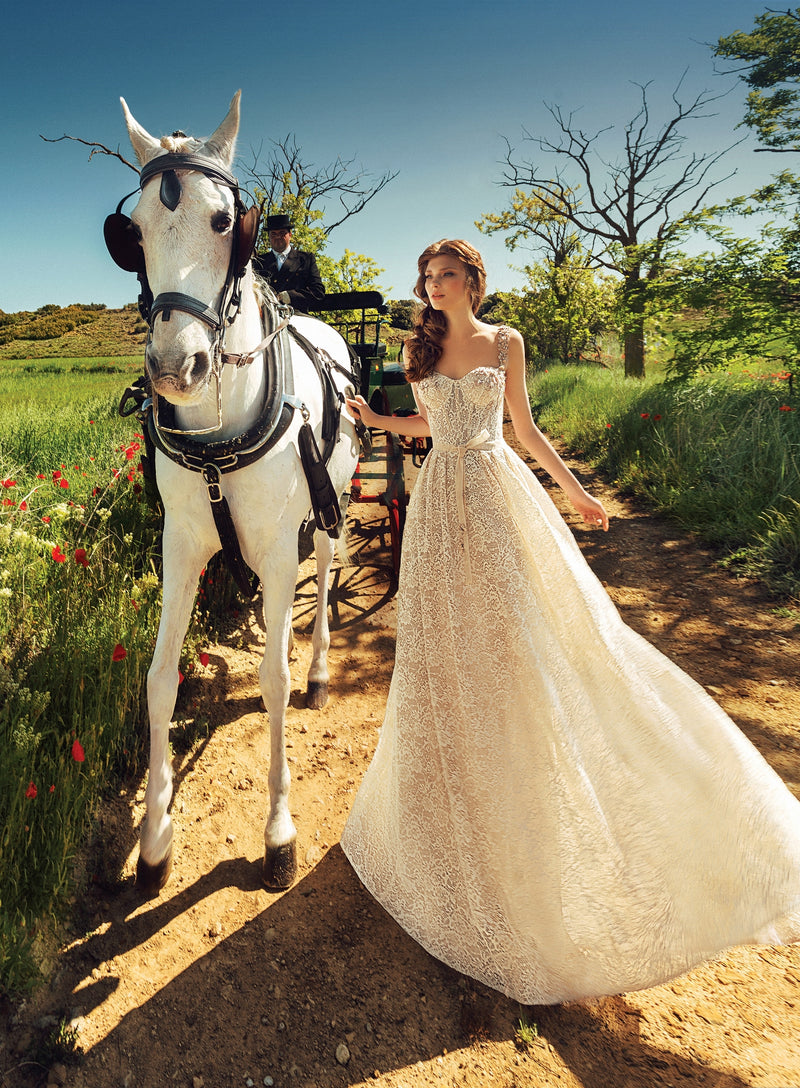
[{"x": 216, "y": 459}]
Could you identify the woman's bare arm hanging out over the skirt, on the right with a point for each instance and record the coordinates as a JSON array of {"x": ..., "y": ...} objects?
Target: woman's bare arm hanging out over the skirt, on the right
[{"x": 516, "y": 394}]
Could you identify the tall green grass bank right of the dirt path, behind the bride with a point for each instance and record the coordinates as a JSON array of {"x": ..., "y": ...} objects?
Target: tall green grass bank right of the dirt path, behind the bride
[{"x": 721, "y": 454}]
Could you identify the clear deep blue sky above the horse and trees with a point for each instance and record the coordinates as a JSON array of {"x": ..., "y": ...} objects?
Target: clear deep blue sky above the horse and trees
[{"x": 428, "y": 90}]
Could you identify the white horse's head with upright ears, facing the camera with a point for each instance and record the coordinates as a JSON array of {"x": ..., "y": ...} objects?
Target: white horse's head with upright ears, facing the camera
[{"x": 186, "y": 222}]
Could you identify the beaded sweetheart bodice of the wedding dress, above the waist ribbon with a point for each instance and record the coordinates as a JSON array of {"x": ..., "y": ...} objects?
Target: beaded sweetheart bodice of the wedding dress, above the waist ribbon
[{"x": 461, "y": 409}]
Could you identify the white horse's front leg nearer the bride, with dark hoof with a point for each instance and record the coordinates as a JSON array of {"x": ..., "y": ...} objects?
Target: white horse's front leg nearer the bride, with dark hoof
[{"x": 279, "y": 582}]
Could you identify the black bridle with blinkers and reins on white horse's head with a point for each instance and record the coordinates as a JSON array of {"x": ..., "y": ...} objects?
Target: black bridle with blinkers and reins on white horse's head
[{"x": 126, "y": 250}]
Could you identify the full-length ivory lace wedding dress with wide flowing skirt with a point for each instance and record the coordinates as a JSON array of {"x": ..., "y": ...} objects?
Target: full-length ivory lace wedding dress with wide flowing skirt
[{"x": 555, "y": 808}]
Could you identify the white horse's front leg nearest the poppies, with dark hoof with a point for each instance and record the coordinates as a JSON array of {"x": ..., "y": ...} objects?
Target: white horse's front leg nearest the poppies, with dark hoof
[{"x": 182, "y": 565}]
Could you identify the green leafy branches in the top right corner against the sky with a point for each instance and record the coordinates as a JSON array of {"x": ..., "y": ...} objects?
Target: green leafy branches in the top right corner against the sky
[{"x": 771, "y": 58}]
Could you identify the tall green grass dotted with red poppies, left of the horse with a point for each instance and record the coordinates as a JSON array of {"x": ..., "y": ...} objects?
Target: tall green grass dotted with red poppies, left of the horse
[{"x": 79, "y": 609}]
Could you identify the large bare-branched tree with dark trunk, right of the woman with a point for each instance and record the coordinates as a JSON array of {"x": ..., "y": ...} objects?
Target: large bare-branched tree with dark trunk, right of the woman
[{"x": 634, "y": 208}]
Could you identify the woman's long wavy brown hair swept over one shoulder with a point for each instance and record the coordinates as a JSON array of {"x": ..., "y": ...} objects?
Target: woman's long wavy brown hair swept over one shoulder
[{"x": 424, "y": 349}]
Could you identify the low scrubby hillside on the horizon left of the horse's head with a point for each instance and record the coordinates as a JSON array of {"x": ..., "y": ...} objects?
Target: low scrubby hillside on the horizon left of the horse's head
[{"x": 72, "y": 332}]
